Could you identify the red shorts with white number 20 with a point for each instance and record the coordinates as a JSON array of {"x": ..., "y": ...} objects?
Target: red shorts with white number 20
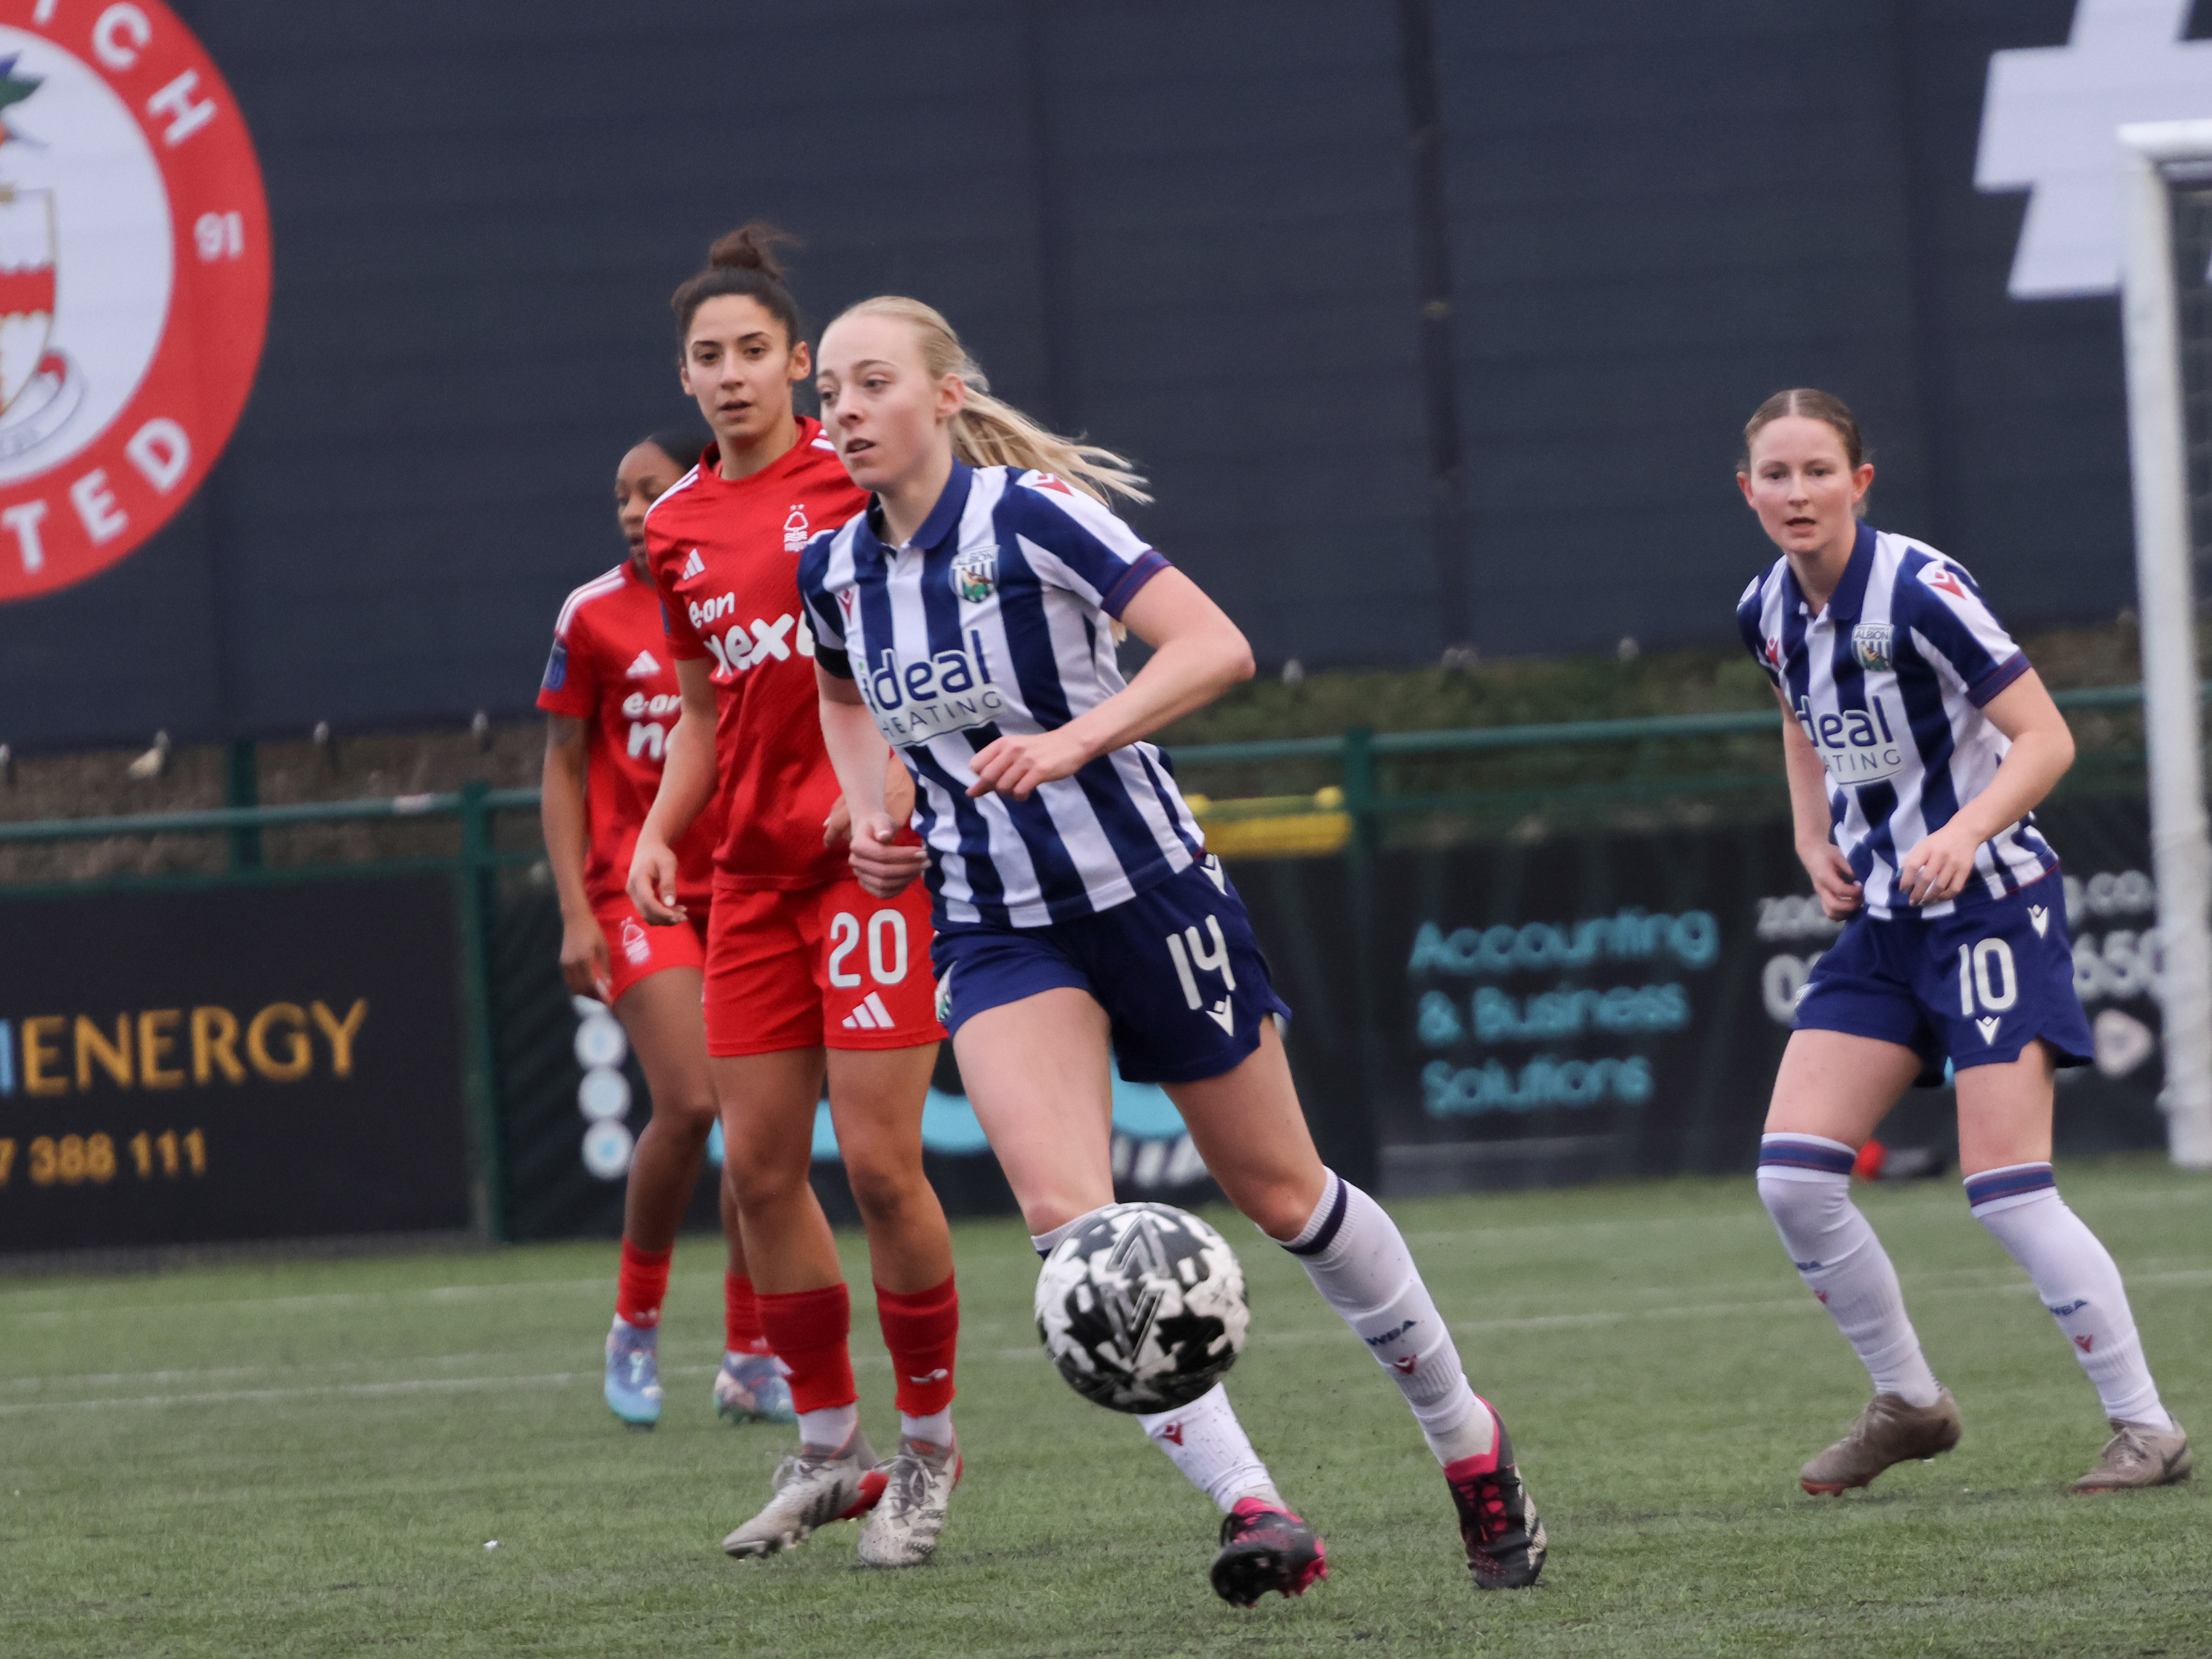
[{"x": 820, "y": 968}]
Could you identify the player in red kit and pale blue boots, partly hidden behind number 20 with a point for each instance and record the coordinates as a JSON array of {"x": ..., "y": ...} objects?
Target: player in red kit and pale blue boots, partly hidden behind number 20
[{"x": 609, "y": 700}]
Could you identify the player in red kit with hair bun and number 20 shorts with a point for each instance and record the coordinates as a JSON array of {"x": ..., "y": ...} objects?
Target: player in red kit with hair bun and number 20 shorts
[{"x": 806, "y": 974}]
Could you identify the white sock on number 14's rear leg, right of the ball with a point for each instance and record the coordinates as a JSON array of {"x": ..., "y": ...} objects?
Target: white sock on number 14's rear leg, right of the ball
[{"x": 1359, "y": 1264}]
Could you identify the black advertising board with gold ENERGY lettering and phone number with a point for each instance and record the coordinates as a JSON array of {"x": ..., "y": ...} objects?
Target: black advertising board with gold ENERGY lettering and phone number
[{"x": 242, "y": 1063}]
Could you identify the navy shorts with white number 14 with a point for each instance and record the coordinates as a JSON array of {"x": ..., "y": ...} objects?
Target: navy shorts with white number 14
[{"x": 1176, "y": 968}]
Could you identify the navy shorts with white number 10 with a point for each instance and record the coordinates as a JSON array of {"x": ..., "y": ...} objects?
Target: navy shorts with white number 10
[{"x": 1976, "y": 985}]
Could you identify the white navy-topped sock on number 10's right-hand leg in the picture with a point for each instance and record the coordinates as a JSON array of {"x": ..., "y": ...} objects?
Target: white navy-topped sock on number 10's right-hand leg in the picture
[{"x": 2078, "y": 1282}]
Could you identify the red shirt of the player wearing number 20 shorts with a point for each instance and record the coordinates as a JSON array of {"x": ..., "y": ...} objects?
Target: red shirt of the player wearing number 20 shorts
[{"x": 727, "y": 563}]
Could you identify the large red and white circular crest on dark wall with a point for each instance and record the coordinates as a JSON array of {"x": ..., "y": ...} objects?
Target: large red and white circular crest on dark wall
[{"x": 134, "y": 282}]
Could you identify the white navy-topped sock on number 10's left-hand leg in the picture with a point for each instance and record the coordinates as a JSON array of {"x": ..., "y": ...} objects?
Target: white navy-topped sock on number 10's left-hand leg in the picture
[{"x": 1806, "y": 1185}]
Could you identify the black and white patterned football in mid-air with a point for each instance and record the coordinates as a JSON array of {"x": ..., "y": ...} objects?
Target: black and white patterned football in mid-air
[{"x": 1142, "y": 1308}]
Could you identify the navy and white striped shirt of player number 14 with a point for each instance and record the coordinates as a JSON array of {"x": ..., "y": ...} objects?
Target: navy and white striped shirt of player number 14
[{"x": 997, "y": 623}]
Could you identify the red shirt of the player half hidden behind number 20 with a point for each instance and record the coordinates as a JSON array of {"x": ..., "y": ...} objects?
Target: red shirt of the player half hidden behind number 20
[{"x": 612, "y": 669}]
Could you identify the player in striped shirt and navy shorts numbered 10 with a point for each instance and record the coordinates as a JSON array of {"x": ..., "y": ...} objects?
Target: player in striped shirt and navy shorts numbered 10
[{"x": 1919, "y": 744}]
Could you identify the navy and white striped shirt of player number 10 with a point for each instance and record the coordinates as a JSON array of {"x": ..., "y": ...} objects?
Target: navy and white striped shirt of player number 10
[{"x": 1890, "y": 685}]
